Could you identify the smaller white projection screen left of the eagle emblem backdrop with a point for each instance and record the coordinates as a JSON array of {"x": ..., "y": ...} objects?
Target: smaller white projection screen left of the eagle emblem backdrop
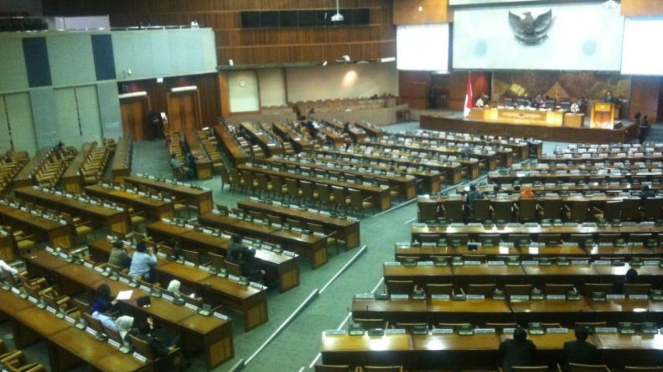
[{"x": 423, "y": 47}]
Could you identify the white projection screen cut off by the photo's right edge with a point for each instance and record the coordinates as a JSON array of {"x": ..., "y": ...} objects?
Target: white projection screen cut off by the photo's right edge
[{"x": 639, "y": 58}]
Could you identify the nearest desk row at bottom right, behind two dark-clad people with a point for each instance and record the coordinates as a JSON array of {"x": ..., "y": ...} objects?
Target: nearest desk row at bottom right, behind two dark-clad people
[{"x": 479, "y": 351}]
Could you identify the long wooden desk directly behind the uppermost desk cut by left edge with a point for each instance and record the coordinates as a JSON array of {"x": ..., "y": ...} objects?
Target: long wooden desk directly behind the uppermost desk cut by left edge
[{"x": 111, "y": 218}]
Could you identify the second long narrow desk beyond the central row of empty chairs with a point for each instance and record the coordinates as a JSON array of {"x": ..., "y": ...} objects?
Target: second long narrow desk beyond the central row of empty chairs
[{"x": 405, "y": 184}]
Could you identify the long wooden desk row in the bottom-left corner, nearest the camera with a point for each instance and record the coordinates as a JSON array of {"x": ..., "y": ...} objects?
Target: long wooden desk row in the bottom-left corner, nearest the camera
[{"x": 67, "y": 345}]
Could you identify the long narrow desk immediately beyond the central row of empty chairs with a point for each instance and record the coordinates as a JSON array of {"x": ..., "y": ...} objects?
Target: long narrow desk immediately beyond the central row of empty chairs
[{"x": 380, "y": 196}]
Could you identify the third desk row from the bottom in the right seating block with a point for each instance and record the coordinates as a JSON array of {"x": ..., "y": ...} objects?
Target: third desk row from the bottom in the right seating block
[{"x": 521, "y": 273}]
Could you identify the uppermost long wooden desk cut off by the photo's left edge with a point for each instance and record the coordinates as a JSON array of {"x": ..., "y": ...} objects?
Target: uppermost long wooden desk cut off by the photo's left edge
[{"x": 57, "y": 233}]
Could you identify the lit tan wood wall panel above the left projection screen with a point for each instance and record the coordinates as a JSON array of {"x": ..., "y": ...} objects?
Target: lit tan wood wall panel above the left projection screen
[{"x": 406, "y": 12}]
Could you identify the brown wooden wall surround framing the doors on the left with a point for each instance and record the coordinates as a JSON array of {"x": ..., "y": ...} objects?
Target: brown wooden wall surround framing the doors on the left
[{"x": 208, "y": 88}]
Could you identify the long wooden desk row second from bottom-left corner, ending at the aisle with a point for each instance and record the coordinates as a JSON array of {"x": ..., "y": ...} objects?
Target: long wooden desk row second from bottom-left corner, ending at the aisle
[{"x": 210, "y": 334}]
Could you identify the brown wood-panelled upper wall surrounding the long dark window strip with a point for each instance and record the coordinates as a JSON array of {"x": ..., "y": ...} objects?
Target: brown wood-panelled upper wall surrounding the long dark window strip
[{"x": 248, "y": 47}]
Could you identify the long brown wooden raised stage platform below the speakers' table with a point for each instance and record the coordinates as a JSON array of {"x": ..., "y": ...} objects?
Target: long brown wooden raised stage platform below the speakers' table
[{"x": 456, "y": 123}]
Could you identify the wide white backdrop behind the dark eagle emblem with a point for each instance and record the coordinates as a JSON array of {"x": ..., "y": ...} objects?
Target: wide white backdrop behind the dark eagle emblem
[{"x": 582, "y": 37}]
